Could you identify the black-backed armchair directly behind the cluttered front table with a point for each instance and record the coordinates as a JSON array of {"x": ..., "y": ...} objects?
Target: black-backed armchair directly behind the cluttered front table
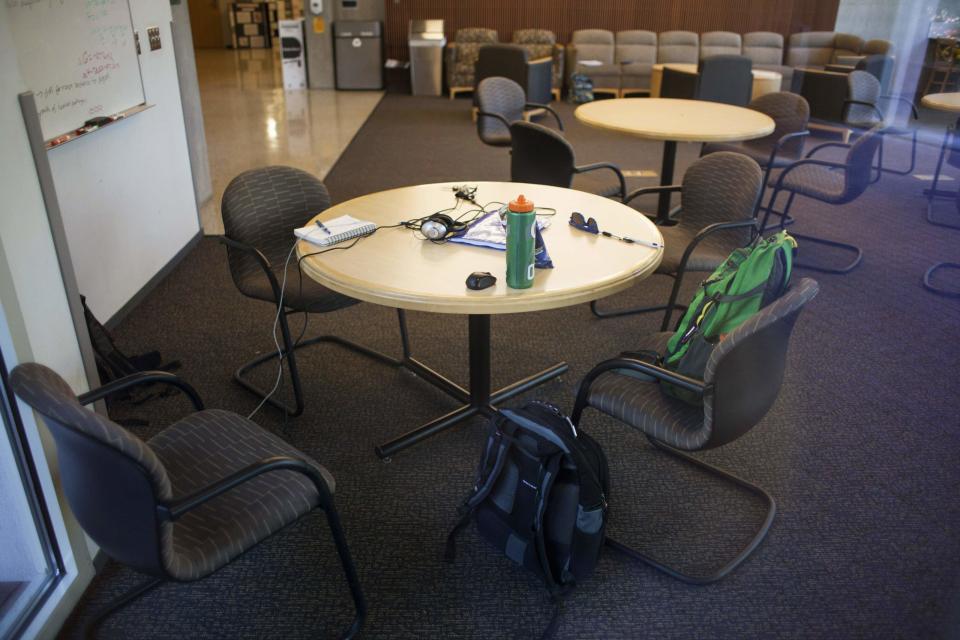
[{"x": 542, "y": 156}]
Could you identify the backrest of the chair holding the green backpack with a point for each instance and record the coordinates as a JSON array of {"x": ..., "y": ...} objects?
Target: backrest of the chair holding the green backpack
[{"x": 746, "y": 369}]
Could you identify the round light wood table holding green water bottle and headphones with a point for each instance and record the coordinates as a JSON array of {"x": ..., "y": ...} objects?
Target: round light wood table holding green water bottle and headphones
[{"x": 397, "y": 267}]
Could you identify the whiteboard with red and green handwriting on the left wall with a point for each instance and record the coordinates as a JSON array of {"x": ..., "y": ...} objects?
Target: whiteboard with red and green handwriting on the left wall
[{"x": 78, "y": 57}]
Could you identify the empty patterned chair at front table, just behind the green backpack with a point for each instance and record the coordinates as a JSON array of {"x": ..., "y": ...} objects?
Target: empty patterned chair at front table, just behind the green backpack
[{"x": 718, "y": 209}]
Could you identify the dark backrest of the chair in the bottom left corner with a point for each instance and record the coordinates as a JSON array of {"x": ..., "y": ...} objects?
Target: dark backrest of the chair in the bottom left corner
[{"x": 112, "y": 479}]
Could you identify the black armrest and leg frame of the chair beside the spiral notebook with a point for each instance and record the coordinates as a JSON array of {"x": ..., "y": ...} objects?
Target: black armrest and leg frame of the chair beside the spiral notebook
[{"x": 290, "y": 346}]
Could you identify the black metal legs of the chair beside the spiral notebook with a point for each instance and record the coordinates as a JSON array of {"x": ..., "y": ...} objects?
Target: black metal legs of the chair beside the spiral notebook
[{"x": 289, "y": 354}]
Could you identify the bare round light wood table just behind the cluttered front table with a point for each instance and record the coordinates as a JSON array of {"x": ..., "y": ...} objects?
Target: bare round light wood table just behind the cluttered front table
[{"x": 673, "y": 120}]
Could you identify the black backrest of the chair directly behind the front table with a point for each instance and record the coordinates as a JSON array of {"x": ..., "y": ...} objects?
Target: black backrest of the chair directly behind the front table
[{"x": 540, "y": 155}]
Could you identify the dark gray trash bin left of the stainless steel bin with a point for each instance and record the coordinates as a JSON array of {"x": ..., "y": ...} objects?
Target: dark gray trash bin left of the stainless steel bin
[{"x": 358, "y": 51}]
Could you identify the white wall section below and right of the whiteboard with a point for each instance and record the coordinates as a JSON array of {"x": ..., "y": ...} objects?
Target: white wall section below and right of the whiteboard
[{"x": 126, "y": 191}]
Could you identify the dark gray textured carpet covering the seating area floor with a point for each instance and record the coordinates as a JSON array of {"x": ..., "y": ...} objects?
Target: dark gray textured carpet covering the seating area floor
[{"x": 860, "y": 449}]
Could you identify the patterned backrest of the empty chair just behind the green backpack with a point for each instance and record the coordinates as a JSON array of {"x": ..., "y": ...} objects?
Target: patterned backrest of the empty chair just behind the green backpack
[{"x": 720, "y": 187}]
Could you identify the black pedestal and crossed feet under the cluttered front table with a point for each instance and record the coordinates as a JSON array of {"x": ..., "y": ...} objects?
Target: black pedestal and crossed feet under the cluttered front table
[{"x": 480, "y": 401}]
